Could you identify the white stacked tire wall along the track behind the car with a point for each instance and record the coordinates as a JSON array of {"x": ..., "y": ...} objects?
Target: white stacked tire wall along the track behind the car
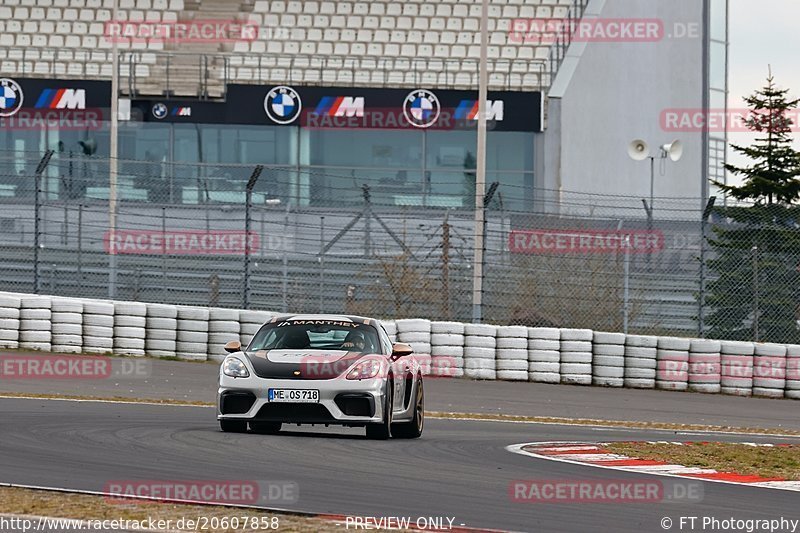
[{"x": 445, "y": 349}]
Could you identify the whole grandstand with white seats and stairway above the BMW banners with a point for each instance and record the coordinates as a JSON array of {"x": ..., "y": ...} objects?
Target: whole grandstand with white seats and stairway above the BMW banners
[{"x": 360, "y": 43}]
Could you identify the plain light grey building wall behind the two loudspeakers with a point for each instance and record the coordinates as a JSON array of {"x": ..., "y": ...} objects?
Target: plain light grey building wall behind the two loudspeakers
[{"x": 608, "y": 93}]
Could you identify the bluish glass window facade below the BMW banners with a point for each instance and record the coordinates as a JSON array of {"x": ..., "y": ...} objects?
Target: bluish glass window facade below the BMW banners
[{"x": 196, "y": 163}]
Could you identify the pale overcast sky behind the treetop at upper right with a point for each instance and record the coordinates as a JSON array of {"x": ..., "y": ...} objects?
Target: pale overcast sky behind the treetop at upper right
[{"x": 762, "y": 33}]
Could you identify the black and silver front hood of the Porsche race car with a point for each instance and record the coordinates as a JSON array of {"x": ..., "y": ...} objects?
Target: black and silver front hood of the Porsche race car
[{"x": 302, "y": 364}]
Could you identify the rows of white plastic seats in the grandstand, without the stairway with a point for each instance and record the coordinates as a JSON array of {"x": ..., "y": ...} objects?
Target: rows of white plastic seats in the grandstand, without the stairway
[{"x": 377, "y": 31}]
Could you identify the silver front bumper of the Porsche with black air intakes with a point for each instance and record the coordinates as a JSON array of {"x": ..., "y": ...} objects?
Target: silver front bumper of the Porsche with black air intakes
[{"x": 341, "y": 401}]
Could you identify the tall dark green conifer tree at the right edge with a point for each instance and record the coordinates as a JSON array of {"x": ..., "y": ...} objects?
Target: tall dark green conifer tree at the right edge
[{"x": 757, "y": 251}]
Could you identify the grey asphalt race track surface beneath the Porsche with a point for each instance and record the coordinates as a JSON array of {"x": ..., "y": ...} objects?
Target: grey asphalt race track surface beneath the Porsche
[{"x": 459, "y": 468}]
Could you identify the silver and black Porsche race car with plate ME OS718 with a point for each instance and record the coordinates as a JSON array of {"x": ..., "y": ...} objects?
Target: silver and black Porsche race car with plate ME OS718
[{"x": 321, "y": 369}]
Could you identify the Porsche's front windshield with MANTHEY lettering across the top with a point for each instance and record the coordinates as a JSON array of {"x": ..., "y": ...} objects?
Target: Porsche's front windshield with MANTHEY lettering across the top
[{"x": 316, "y": 335}]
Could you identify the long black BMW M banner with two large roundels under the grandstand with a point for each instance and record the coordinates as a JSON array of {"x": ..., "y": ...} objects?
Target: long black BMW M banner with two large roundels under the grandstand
[{"x": 352, "y": 107}]
